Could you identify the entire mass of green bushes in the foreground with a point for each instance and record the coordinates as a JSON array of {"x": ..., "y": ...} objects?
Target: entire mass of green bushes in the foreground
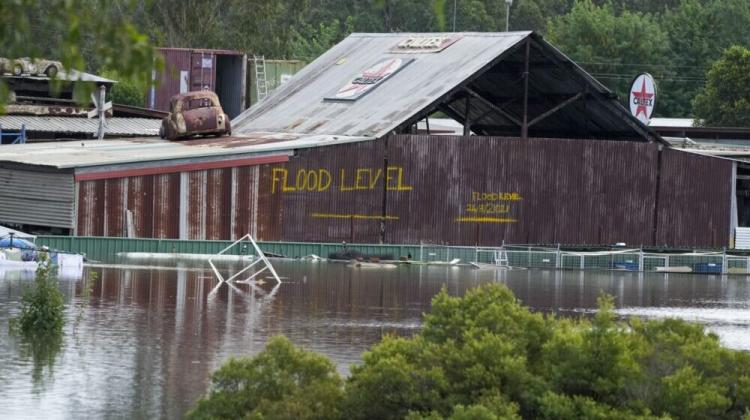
[{"x": 485, "y": 356}]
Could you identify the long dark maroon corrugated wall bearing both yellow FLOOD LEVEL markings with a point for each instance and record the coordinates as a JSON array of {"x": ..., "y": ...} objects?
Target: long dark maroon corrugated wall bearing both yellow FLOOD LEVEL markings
[{"x": 483, "y": 190}]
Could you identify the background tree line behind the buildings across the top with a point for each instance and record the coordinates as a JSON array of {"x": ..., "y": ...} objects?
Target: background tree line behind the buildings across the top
[{"x": 675, "y": 40}]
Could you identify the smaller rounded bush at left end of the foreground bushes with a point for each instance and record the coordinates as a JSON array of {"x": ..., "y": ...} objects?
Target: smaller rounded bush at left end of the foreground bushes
[{"x": 281, "y": 382}]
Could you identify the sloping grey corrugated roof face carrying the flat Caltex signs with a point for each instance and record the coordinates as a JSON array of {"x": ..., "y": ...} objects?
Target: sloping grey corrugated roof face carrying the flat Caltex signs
[{"x": 298, "y": 105}]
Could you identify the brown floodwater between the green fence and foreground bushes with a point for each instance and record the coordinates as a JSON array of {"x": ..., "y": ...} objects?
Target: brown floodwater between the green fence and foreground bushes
[{"x": 141, "y": 342}]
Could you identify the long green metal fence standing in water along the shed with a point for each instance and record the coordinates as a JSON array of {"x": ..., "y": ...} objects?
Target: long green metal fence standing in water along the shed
[{"x": 715, "y": 262}]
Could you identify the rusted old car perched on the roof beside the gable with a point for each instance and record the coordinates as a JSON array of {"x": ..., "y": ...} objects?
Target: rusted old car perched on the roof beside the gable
[{"x": 195, "y": 113}]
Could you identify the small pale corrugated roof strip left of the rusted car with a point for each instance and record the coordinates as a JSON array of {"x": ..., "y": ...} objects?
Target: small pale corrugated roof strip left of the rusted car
[{"x": 116, "y": 126}]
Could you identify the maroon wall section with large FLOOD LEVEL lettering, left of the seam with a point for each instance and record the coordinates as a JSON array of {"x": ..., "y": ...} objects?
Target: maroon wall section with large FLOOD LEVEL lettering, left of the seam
[{"x": 330, "y": 194}]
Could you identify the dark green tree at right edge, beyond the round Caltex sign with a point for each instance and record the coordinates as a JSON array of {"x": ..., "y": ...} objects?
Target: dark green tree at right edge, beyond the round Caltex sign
[{"x": 725, "y": 99}]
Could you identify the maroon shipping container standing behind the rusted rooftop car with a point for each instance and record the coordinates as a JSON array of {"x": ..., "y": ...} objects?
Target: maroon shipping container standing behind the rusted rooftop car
[{"x": 185, "y": 70}]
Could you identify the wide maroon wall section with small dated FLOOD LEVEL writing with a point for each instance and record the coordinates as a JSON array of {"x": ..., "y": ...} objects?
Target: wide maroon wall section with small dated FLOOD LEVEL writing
[{"x": 572, "y": 191}]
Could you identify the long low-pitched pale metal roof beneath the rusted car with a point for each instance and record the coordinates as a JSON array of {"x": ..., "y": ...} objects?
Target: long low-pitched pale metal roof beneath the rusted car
[{"x": 150, "y": 151}]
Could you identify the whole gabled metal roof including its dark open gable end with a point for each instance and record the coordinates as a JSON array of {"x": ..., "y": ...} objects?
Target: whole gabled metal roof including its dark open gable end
[{"x": 488, "y": 67}]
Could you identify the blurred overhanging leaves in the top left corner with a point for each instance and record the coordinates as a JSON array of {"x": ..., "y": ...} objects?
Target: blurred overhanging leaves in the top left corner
[{"x": 77, "y": 31}]
